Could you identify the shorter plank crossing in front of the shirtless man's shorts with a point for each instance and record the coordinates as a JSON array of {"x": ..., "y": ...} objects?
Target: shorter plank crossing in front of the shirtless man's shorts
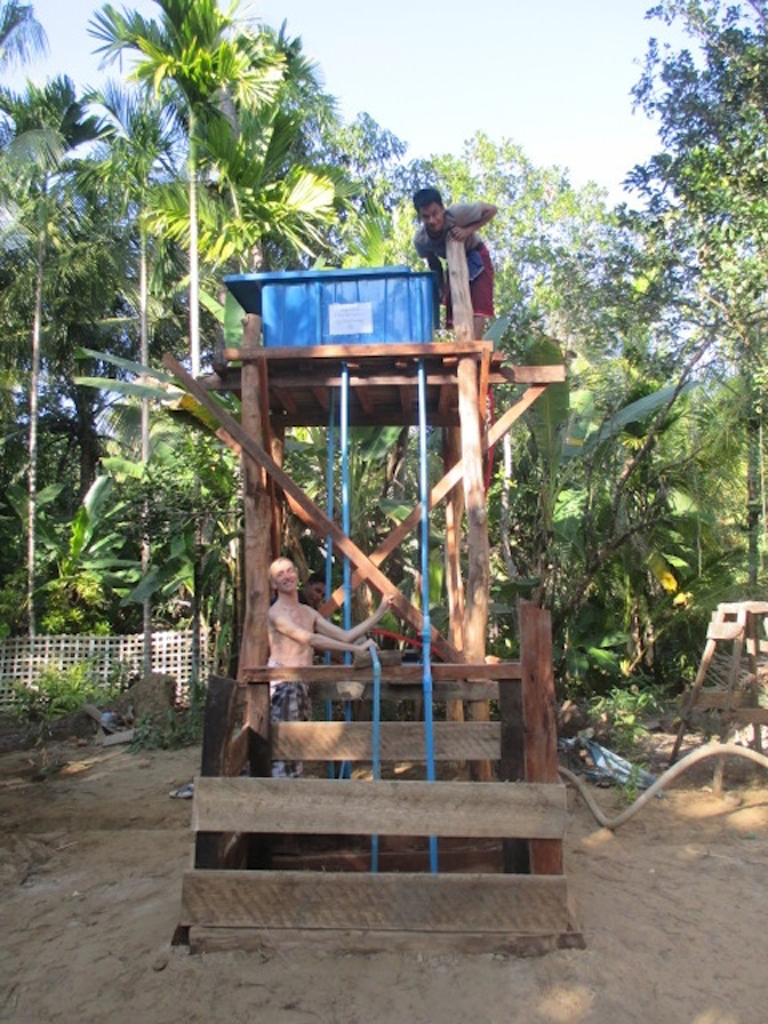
[{"x": 400, "y": 742}]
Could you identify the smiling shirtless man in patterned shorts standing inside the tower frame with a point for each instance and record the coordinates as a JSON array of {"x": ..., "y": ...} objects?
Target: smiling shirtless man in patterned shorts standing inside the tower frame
[{"x": 295, "y": 632}]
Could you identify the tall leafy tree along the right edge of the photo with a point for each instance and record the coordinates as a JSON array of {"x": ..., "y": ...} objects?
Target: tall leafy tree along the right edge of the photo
[{"x": 707, "y": 200}]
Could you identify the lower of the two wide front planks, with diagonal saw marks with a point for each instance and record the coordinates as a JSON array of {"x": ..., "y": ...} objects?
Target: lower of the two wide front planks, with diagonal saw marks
[{"x": 443, "y": 904}]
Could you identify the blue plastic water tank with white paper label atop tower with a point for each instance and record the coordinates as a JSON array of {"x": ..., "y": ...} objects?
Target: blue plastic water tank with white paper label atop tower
[{"x": 371, "y": 306}]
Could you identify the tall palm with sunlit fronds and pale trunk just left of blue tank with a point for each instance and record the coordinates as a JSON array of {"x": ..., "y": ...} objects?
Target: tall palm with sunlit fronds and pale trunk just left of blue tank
[{"x": 202, "y": 62}]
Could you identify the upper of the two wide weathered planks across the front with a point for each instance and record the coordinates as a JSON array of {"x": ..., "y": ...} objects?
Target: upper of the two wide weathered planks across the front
[{"x": 487, "y": 810}]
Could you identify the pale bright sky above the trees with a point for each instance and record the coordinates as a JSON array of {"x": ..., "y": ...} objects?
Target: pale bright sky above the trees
[{"x": 553, "y": 78}]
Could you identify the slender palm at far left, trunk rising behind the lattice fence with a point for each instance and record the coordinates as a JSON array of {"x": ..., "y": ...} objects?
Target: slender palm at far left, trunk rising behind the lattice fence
[{"x": 40, "y": 130}]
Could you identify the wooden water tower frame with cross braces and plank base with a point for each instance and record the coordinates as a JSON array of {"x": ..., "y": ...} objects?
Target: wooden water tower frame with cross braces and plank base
[{"x": 262, "y": 872}]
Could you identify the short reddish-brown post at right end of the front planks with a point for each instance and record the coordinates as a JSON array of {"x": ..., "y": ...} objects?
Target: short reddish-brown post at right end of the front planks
[{"x": 540, "y": 719}]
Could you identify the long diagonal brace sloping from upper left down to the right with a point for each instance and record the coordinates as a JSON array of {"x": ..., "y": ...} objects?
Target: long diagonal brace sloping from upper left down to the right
[{"x": 324, "y": 526}]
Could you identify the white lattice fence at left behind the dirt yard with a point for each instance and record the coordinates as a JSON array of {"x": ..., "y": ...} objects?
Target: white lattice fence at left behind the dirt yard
[{"x": 23, "y": 661}]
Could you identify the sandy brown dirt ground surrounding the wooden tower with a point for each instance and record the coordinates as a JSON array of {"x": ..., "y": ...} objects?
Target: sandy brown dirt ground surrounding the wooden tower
[{"x": 674, "y": 909}]
